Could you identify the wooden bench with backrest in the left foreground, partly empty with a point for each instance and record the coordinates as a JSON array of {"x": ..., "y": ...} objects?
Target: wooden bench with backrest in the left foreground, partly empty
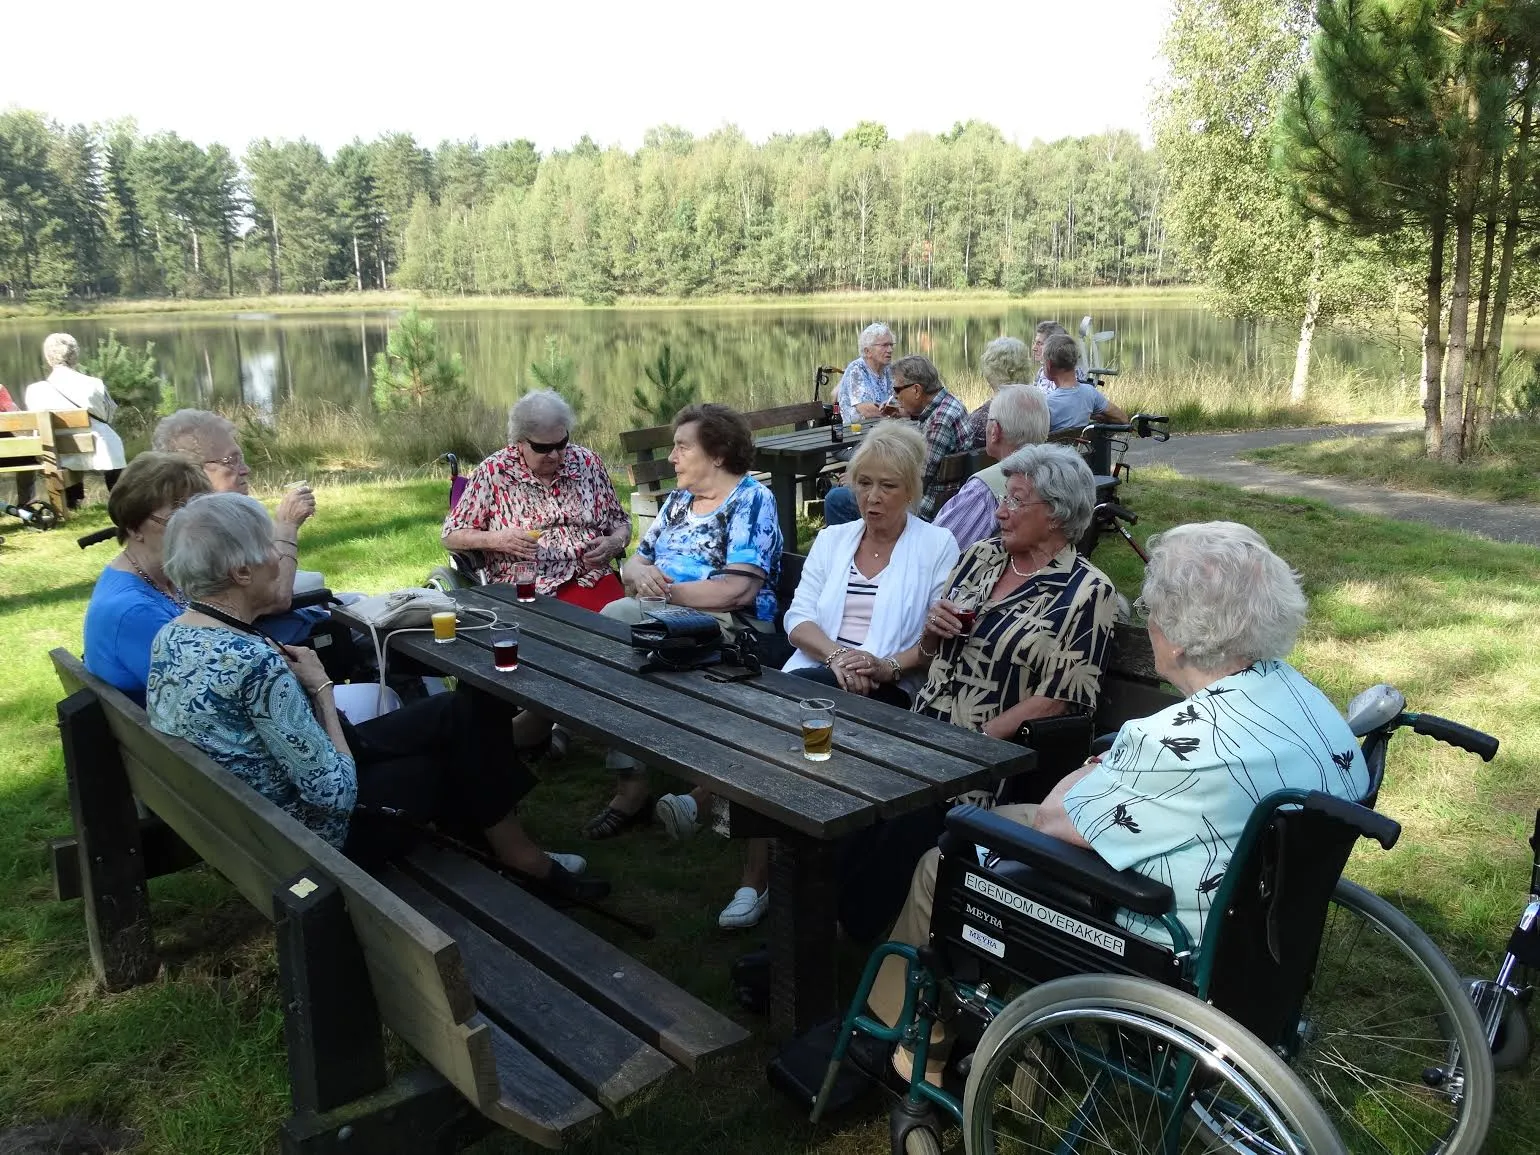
[{"x": 526, "y": 1020}]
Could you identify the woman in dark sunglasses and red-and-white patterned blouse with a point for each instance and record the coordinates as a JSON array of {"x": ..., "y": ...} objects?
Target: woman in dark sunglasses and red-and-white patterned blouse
[{"x": 544, "y": 501}]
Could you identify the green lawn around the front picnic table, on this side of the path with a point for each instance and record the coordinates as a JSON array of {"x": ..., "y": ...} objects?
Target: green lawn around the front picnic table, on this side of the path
[{"x": 195, "y": 1060}]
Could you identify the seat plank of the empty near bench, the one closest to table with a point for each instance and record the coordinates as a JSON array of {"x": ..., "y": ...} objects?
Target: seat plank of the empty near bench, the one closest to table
[{"x": 606, "y": 977}]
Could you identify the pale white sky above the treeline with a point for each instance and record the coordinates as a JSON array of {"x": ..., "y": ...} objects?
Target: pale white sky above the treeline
[{"x": 557, "y": 70}]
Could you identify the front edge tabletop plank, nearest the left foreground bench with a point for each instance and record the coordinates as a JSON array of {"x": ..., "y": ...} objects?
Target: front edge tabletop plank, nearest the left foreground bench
[{"x": 798, "y": 803}]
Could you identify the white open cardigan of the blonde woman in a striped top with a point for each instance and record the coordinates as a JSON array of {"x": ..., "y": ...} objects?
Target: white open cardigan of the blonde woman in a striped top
[{"x": 914, "y": 580}]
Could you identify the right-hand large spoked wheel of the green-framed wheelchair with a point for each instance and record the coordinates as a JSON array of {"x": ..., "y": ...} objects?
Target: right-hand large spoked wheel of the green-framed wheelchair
[{"x": 1390, "y": 1042}]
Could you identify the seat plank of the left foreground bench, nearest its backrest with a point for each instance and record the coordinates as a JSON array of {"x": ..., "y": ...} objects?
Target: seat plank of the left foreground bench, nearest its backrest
[{"x": 603, "y": 1060}]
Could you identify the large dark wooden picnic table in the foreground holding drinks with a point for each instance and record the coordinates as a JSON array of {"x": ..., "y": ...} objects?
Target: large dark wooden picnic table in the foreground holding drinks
[{"x": 742, "y": 742}]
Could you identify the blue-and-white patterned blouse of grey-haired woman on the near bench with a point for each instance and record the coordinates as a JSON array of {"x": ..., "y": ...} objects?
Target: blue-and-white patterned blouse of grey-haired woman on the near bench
[{"x": 236, "y": 700}]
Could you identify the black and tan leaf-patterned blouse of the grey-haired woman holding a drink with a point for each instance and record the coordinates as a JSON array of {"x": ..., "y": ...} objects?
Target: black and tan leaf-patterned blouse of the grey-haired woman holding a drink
[{"x": 1045, "y": 640}]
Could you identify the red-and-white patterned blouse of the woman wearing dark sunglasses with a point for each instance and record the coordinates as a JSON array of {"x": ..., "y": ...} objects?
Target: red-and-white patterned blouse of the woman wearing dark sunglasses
[{"x": 577, "y": 509}]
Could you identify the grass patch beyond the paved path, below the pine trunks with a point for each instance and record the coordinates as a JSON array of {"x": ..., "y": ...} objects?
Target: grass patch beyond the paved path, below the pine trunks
[{"x": 1505, "y": 470}]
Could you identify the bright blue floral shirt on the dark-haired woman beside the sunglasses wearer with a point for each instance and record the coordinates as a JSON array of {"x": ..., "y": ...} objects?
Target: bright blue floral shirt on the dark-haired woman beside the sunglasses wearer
[{"x": 742, "y": 532}]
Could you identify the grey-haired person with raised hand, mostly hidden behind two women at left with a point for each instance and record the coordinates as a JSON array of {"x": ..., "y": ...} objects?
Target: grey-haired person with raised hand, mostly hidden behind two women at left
[{"x": 210, "y": 443}]
